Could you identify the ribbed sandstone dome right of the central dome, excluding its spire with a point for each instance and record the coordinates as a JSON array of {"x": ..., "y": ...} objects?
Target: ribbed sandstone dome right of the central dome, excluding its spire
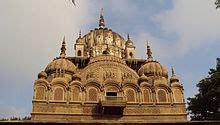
[{"x": 151, "y": 68}]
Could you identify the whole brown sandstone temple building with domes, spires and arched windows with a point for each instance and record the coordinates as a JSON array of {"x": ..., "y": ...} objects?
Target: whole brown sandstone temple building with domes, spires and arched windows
[{"x": 105, "y": 82}]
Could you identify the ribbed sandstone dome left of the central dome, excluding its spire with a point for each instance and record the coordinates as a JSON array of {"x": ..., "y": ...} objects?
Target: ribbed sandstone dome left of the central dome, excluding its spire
[{"x": 60, "y": 64}]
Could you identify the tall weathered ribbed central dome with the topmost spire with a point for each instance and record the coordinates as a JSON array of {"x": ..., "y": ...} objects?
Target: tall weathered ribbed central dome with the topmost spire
[{"x": 100, "y": 39}]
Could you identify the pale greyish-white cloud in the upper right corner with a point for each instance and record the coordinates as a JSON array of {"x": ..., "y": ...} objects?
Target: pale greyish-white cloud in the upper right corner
[{"x": 195, "y": 22}]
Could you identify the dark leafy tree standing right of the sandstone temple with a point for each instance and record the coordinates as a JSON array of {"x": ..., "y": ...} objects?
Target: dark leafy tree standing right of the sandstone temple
[{"x": 206, "y": 104}]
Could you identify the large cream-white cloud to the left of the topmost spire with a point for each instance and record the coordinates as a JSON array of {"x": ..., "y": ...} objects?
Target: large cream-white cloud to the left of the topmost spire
[{"x": 31, "y": 32}]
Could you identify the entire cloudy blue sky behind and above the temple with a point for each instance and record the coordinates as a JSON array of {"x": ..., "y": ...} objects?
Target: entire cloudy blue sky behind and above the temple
[{"x": 182, "y": 33}]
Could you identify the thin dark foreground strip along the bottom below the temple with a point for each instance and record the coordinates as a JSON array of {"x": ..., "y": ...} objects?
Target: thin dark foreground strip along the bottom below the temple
[{"x": 116, "y": 123}]
